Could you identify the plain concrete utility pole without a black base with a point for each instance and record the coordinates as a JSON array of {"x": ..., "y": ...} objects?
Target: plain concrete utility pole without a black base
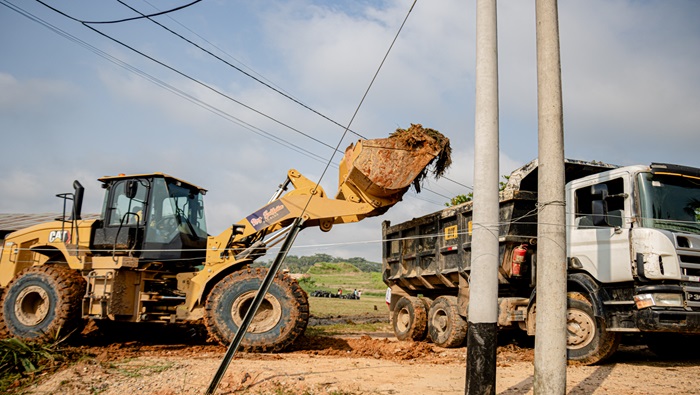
[{"x": 550, "y": 339}]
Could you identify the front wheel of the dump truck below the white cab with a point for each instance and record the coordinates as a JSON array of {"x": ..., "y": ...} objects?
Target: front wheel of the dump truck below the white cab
[{"x": 588, "y": 341}]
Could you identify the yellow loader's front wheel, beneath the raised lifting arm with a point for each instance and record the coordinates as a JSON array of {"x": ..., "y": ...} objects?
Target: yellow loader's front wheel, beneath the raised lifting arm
[{"x": 281, "y": 318}]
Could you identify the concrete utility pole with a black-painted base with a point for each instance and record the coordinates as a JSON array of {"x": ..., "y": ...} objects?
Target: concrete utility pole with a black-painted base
[{"x": 483, "y": 293}]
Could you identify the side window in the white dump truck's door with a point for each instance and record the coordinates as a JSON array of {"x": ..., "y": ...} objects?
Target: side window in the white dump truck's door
[{"x": 601, "y": 205}]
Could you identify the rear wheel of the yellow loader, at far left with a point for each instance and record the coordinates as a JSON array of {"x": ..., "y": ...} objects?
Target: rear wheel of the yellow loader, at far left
[{"x": 42, "y": 304}]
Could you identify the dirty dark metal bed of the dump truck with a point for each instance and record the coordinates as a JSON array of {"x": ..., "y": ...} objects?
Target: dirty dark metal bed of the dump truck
[{"x": 427, "y": 255}]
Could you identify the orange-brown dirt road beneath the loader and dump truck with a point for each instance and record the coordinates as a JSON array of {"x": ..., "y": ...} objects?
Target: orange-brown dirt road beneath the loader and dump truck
[{"x": 368, "y": 364}]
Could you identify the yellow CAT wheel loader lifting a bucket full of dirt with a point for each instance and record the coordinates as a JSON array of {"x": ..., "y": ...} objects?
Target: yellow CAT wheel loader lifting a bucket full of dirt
[{"x": 149, "y": 258}]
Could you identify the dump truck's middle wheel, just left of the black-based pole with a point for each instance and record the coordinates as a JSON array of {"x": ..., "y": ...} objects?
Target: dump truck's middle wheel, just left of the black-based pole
[{"x": 446, "y": 327}]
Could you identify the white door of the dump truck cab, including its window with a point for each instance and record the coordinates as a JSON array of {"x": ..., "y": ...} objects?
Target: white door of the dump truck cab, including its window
[{"x": 598, "y": 237}]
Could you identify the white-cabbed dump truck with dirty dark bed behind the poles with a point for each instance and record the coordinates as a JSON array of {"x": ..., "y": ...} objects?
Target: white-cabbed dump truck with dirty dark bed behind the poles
[{"x": 633, "y": 261}]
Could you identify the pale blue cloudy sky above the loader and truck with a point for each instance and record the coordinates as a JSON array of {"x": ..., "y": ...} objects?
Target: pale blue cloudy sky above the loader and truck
[{"x": 630, "y": 75}]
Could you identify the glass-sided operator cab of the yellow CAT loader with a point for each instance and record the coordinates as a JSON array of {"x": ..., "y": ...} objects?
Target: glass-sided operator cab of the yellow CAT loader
[{"x": 153, "y": 217}]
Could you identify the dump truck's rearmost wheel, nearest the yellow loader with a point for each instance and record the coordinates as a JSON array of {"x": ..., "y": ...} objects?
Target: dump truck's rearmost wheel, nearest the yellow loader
[{"x": 410, "y": 319}]
